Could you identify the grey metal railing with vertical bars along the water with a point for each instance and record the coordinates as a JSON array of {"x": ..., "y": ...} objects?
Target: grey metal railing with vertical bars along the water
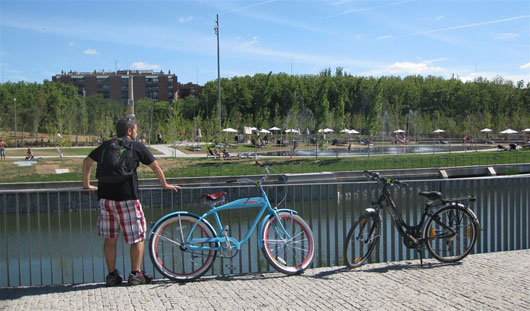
[{"x": 50, "y": 236}]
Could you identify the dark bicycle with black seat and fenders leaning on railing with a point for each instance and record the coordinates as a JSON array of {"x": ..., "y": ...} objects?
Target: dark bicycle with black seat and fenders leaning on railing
[{"x": 448, "y": 227}]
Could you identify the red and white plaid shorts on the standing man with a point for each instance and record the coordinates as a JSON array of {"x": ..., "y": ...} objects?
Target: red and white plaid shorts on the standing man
[{"x": 127, "y": 215}]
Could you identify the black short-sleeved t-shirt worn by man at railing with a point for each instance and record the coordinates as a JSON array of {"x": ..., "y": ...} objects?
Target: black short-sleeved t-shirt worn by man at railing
[{"x": 127, "y": 190}]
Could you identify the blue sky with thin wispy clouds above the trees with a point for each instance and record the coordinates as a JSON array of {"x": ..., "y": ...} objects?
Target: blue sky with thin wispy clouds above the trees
[{"x": 464, "y": 38}]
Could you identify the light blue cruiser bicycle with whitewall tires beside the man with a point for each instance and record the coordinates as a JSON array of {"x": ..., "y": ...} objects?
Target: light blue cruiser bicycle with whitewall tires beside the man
[{"x": 183, "y": 245}]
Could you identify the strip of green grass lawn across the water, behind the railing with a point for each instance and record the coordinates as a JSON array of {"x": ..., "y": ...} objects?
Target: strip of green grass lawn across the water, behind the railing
[{"x": 44, "y": 169}]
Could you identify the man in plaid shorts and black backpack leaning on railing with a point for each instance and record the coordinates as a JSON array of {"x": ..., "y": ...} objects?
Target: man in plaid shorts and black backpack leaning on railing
[{"x": 118, "y": 197}]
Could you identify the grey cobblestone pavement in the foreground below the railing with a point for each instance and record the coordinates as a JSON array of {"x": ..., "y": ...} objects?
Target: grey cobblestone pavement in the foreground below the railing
[{"x": 494, "y": 281}]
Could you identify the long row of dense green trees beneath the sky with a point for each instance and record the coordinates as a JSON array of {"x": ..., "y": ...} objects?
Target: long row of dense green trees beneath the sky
[{"x": 371, "y": 105}]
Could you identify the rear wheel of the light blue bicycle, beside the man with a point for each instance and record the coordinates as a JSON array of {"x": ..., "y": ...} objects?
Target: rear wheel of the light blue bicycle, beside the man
[{"x": 170, "y": 259}]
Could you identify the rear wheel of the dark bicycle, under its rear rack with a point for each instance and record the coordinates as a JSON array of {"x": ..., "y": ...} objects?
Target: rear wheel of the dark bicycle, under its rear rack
[{"x": 447, "y": 246}]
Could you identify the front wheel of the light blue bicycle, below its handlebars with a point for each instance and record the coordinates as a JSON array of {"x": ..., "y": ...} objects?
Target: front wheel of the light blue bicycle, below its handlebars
[{"x": 288, "y": 256}]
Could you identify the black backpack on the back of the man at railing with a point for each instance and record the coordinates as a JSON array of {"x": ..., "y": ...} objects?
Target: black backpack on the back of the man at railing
[{"x": 116, "y": 163}]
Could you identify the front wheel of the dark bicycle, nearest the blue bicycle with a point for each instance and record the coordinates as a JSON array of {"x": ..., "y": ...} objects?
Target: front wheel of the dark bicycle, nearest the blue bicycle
[{"x": 361, "y": 240}]
